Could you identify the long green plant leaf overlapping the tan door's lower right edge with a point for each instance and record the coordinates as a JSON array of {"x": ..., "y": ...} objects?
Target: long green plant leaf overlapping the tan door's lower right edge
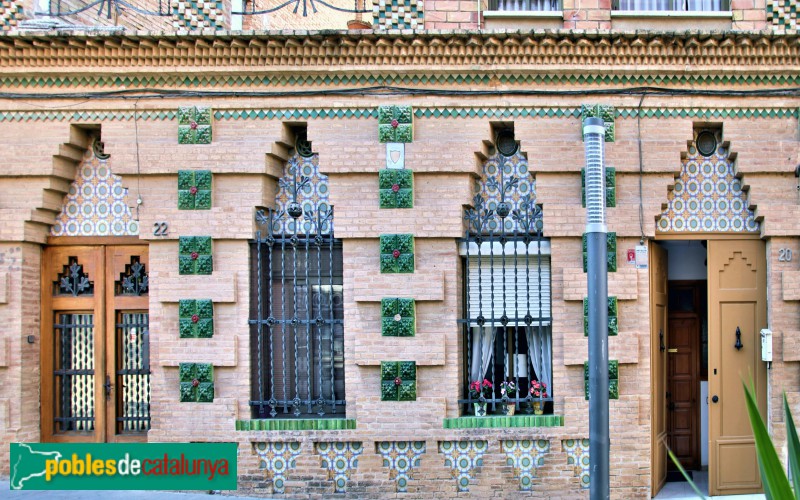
[{"x": 775, "y": 483}]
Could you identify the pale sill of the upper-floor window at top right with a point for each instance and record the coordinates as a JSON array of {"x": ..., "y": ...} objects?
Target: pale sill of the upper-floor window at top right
[{"x": 667, "y": 20}]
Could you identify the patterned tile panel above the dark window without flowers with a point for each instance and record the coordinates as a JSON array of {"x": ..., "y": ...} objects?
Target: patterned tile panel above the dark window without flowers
[{"x": 312, "y": 195}]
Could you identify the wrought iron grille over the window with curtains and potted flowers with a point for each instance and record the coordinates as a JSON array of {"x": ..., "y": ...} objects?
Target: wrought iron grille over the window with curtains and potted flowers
[{"x": 507, "y": 315}]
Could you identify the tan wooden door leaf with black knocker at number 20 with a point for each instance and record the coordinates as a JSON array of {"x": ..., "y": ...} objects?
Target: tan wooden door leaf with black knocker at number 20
[{"x": 737, "y": 282}]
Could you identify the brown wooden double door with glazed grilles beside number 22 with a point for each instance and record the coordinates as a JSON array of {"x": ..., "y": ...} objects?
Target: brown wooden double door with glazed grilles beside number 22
[{"x": 95, "y": 344}]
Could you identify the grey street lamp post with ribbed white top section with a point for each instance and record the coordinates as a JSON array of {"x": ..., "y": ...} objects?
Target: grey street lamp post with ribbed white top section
[{"x": 597, "y": 269}]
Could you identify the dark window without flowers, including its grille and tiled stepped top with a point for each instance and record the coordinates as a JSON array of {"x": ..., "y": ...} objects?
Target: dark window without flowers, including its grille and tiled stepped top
[{"x": 297, "y": 335}]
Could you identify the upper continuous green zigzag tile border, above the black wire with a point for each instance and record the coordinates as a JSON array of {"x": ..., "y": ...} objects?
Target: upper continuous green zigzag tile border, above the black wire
[{"x": 396, "y": 79}]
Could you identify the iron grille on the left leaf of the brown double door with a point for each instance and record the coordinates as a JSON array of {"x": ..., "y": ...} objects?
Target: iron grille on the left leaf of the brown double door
[{"x": 74, "y": 372}]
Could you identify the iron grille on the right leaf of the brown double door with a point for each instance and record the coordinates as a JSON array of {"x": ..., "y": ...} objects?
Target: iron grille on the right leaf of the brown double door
[{"x": 133, "y": 373}]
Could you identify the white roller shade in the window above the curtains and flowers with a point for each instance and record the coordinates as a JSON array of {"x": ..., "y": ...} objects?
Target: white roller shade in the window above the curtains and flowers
[{"x": 488, "y": 297}]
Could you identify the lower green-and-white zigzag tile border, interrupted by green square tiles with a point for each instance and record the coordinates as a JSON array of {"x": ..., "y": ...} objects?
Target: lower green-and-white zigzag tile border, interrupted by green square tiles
[{"x": 337, "y": 113}]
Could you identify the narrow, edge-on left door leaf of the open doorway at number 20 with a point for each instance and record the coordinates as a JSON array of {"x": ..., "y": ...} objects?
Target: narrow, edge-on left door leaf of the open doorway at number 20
[{"x": 658, "y": 374}]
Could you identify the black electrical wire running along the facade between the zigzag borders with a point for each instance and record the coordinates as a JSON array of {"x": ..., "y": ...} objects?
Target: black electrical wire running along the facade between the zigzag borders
[{"x": 401, "y": 91}]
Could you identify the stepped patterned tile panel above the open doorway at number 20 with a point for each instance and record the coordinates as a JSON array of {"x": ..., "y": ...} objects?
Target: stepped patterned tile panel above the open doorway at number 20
[{"x": 707, "y": 197}]
